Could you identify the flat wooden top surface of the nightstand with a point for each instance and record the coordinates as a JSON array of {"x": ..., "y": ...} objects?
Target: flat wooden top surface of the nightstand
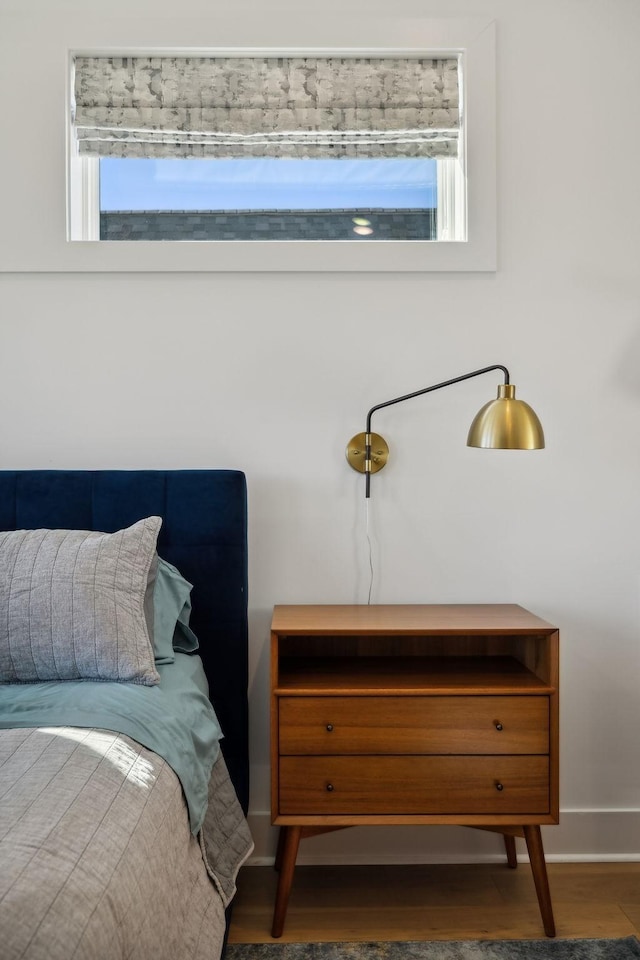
[{"x": 459, "y": 618}]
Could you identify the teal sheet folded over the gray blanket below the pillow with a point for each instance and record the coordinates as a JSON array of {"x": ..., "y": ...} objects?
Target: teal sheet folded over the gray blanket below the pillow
[{"x": 174, "y": 719}]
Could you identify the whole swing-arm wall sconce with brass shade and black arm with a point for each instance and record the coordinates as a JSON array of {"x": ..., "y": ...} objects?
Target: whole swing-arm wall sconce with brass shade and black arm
[{"x": 502, "y": 424}]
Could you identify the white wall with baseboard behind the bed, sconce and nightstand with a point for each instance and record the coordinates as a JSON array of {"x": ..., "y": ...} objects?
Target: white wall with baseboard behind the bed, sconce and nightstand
[{"x": 272, "y": 373}]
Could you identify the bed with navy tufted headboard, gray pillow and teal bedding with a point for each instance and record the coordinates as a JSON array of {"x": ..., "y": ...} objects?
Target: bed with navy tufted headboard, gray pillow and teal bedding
[{"x": 123, "y": 748}]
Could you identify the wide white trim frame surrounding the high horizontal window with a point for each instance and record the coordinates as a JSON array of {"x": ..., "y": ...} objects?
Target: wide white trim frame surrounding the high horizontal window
[{"x": 37, "y": 215}]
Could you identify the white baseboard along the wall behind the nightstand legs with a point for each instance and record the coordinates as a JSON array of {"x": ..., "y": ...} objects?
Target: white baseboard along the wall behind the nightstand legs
[{"x": 582, "y": 835}]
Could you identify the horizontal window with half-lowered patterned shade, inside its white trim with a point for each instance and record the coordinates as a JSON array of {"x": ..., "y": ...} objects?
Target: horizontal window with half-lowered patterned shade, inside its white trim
[{"x": 271, "y": 148}]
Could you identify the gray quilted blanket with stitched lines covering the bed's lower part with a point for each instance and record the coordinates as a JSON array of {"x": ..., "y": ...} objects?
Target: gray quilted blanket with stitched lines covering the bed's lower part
[{"x": 97, "y": 861}]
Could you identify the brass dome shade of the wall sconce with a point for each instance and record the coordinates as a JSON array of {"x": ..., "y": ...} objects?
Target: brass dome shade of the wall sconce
[{"x": 506, "y": 424}]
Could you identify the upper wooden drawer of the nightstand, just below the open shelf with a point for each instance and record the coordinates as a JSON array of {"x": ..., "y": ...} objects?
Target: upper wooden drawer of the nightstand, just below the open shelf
[{"x": 397, "y": 725}]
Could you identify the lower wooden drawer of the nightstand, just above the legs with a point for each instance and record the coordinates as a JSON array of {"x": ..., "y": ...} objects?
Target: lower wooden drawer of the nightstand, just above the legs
[{"x": 413, "y": 785}]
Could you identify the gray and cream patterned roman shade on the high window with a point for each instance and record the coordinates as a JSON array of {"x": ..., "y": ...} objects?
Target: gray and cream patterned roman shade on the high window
[{"x": 266, "y": 106}]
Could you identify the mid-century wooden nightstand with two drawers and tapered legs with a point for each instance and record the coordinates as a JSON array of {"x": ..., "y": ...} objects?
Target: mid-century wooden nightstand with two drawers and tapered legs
[{"x": 413, "y": 715}]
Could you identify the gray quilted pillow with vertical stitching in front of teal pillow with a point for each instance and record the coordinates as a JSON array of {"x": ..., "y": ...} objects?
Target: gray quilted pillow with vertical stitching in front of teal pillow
[{"x": 72, "y": 604}]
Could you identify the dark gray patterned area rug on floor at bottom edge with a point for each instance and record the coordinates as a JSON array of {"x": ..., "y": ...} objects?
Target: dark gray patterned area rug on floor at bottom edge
[{"x": 627, "y": 948}]
